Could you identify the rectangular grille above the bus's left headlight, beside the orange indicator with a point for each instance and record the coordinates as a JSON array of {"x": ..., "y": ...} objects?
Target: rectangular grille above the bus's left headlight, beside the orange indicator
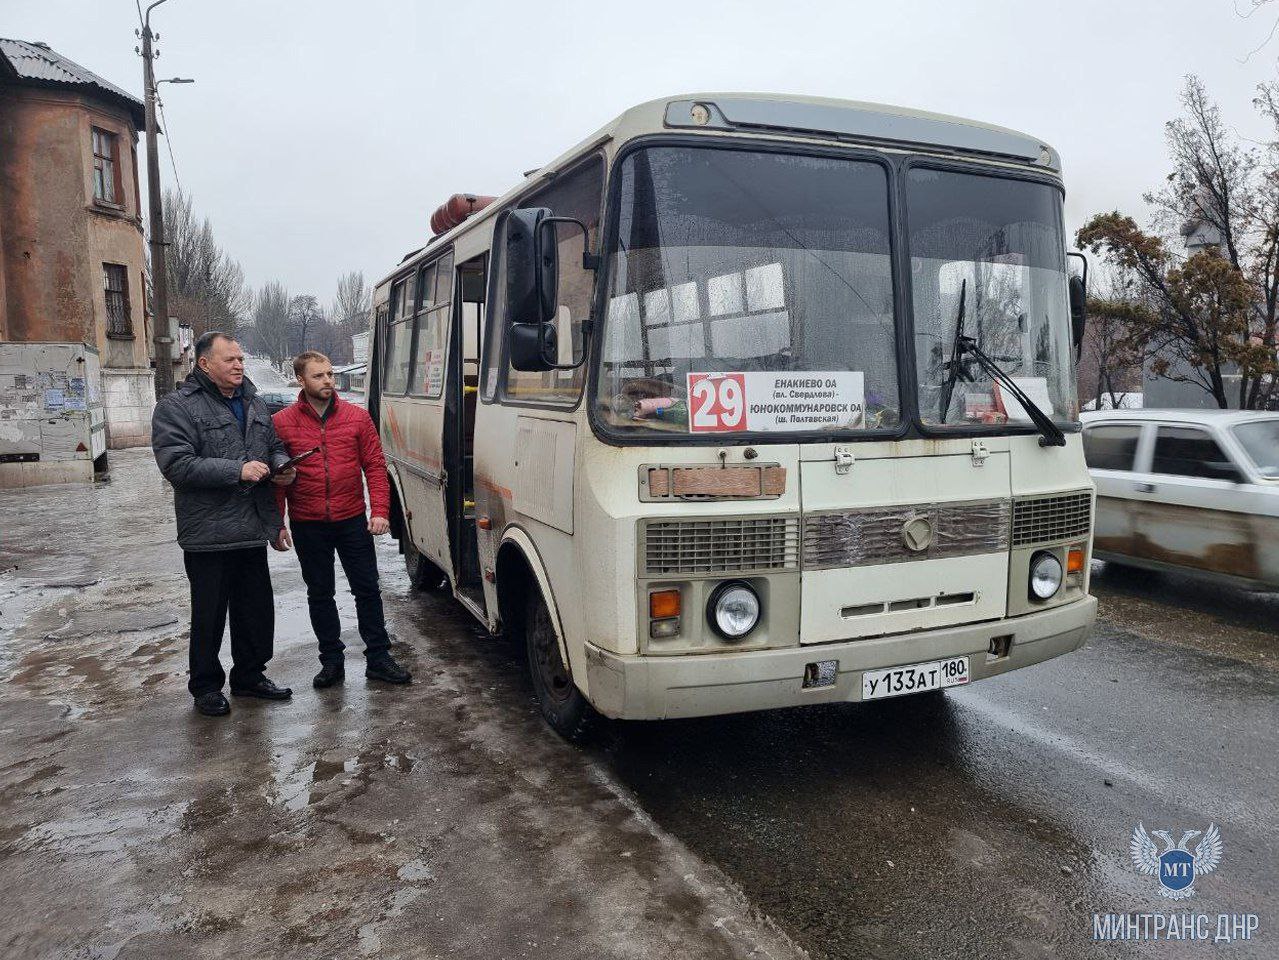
[{"x": 721, "y": 545}]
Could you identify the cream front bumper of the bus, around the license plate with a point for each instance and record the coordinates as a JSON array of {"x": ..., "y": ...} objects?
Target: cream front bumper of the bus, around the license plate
[{"x": 668, "y": 687}]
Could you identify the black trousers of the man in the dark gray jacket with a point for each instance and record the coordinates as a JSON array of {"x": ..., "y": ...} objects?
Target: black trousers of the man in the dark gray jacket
[{"x": 235, "y": 581}]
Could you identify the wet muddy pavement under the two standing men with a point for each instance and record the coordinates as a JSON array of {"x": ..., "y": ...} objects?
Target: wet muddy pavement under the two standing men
[{"x": 435, "y": 821}]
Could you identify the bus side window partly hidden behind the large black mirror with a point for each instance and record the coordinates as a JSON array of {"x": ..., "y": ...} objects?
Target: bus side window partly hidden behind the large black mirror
[{"x": 576, "y": 195}]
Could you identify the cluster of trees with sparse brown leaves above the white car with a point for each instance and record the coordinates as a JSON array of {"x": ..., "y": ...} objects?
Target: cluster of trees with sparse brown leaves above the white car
[{"x": 1205, "y": 315}]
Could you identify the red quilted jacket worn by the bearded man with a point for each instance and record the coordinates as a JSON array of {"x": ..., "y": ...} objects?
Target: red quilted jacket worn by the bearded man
[{"x": 329, "y": 485}]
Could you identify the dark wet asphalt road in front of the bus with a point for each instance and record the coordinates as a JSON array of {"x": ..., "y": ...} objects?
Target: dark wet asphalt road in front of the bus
[{"x": 991, "y": 823}]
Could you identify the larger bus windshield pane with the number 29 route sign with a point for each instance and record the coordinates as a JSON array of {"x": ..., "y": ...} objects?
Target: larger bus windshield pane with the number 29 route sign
[{"x": 751, "y": 292}]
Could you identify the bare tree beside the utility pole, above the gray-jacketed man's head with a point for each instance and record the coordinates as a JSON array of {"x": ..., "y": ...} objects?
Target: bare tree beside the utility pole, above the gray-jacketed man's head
[{"x": 207, "y": 288}]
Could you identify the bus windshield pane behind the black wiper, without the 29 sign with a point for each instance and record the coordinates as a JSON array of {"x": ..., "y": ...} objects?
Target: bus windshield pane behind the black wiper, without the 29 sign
[{"x": 988, "y": 263}]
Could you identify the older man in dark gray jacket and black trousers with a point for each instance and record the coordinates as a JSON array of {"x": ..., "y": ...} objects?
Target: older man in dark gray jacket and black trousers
[{"x": 216, "y": 444}]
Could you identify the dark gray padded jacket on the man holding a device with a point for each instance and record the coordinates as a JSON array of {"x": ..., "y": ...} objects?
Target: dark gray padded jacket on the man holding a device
[{"x": 200, "y": 451}]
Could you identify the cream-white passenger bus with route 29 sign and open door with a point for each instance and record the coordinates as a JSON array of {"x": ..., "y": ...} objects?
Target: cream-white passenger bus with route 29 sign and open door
[{"x": 749, "y": 402}]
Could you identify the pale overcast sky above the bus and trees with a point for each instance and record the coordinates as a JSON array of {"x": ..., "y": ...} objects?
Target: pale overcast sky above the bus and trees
[{"x": 320, "y": 135}]
